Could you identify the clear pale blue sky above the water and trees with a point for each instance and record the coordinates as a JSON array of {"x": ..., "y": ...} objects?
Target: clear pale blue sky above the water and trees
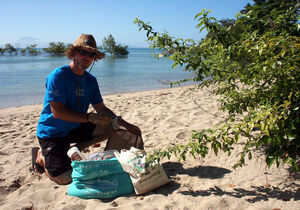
[{"x": 65, "y": 20}]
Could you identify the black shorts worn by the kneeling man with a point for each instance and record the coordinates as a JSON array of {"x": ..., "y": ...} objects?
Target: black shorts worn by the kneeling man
[{"x": 55, "y": 149}]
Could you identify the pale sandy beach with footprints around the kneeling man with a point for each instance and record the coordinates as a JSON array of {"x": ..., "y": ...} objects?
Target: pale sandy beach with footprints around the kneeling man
[{"x": 165, "y": 117}]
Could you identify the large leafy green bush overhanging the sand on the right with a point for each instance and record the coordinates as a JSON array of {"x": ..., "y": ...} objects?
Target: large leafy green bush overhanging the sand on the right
[{"x": 253, "y": 64}]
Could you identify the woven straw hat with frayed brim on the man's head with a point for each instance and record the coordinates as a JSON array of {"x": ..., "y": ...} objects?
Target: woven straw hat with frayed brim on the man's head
[{"x": 85, "y": 41}]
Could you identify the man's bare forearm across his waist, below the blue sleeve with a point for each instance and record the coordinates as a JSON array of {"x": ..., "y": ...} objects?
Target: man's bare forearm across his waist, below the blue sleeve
[{"x": 61, "y": 112}]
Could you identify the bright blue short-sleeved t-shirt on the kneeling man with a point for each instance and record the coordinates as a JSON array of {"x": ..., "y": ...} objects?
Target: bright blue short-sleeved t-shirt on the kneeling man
[{"x": 76, "y": 92}]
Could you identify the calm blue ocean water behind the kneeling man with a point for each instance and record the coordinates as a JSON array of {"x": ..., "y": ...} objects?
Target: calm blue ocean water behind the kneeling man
[{"x": 22, "y": 78}]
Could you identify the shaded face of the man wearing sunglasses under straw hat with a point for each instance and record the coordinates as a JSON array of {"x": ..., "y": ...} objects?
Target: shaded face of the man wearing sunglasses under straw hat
[{"x": 84, "y": 58}]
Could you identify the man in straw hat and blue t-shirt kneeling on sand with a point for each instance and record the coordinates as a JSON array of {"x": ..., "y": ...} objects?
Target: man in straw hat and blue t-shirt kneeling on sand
[{"x": 70, "y": 90}]
